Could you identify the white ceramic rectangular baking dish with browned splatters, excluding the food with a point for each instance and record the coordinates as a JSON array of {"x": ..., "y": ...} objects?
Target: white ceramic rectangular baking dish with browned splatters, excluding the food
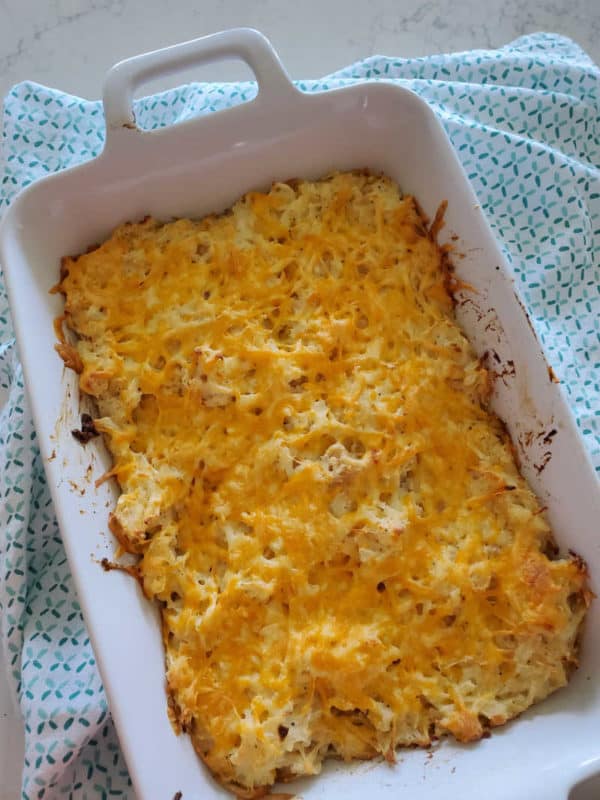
[{"x": 203, "y": 165}]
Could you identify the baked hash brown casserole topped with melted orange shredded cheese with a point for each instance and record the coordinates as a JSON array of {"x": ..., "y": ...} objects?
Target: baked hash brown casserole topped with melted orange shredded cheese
[{"x": 345, "y": 554}]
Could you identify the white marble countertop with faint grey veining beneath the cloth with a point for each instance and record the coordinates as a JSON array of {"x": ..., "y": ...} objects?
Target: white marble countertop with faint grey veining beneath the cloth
[{"x": 69, "y": 44}]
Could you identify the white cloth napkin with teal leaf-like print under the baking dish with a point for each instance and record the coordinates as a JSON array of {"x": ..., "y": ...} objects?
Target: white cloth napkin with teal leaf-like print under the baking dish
[{"x": 525, "y": 120}]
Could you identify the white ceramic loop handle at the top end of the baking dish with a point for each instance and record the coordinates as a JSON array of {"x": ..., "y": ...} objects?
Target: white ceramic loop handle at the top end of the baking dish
[{"x": 245, "y": 44}]
